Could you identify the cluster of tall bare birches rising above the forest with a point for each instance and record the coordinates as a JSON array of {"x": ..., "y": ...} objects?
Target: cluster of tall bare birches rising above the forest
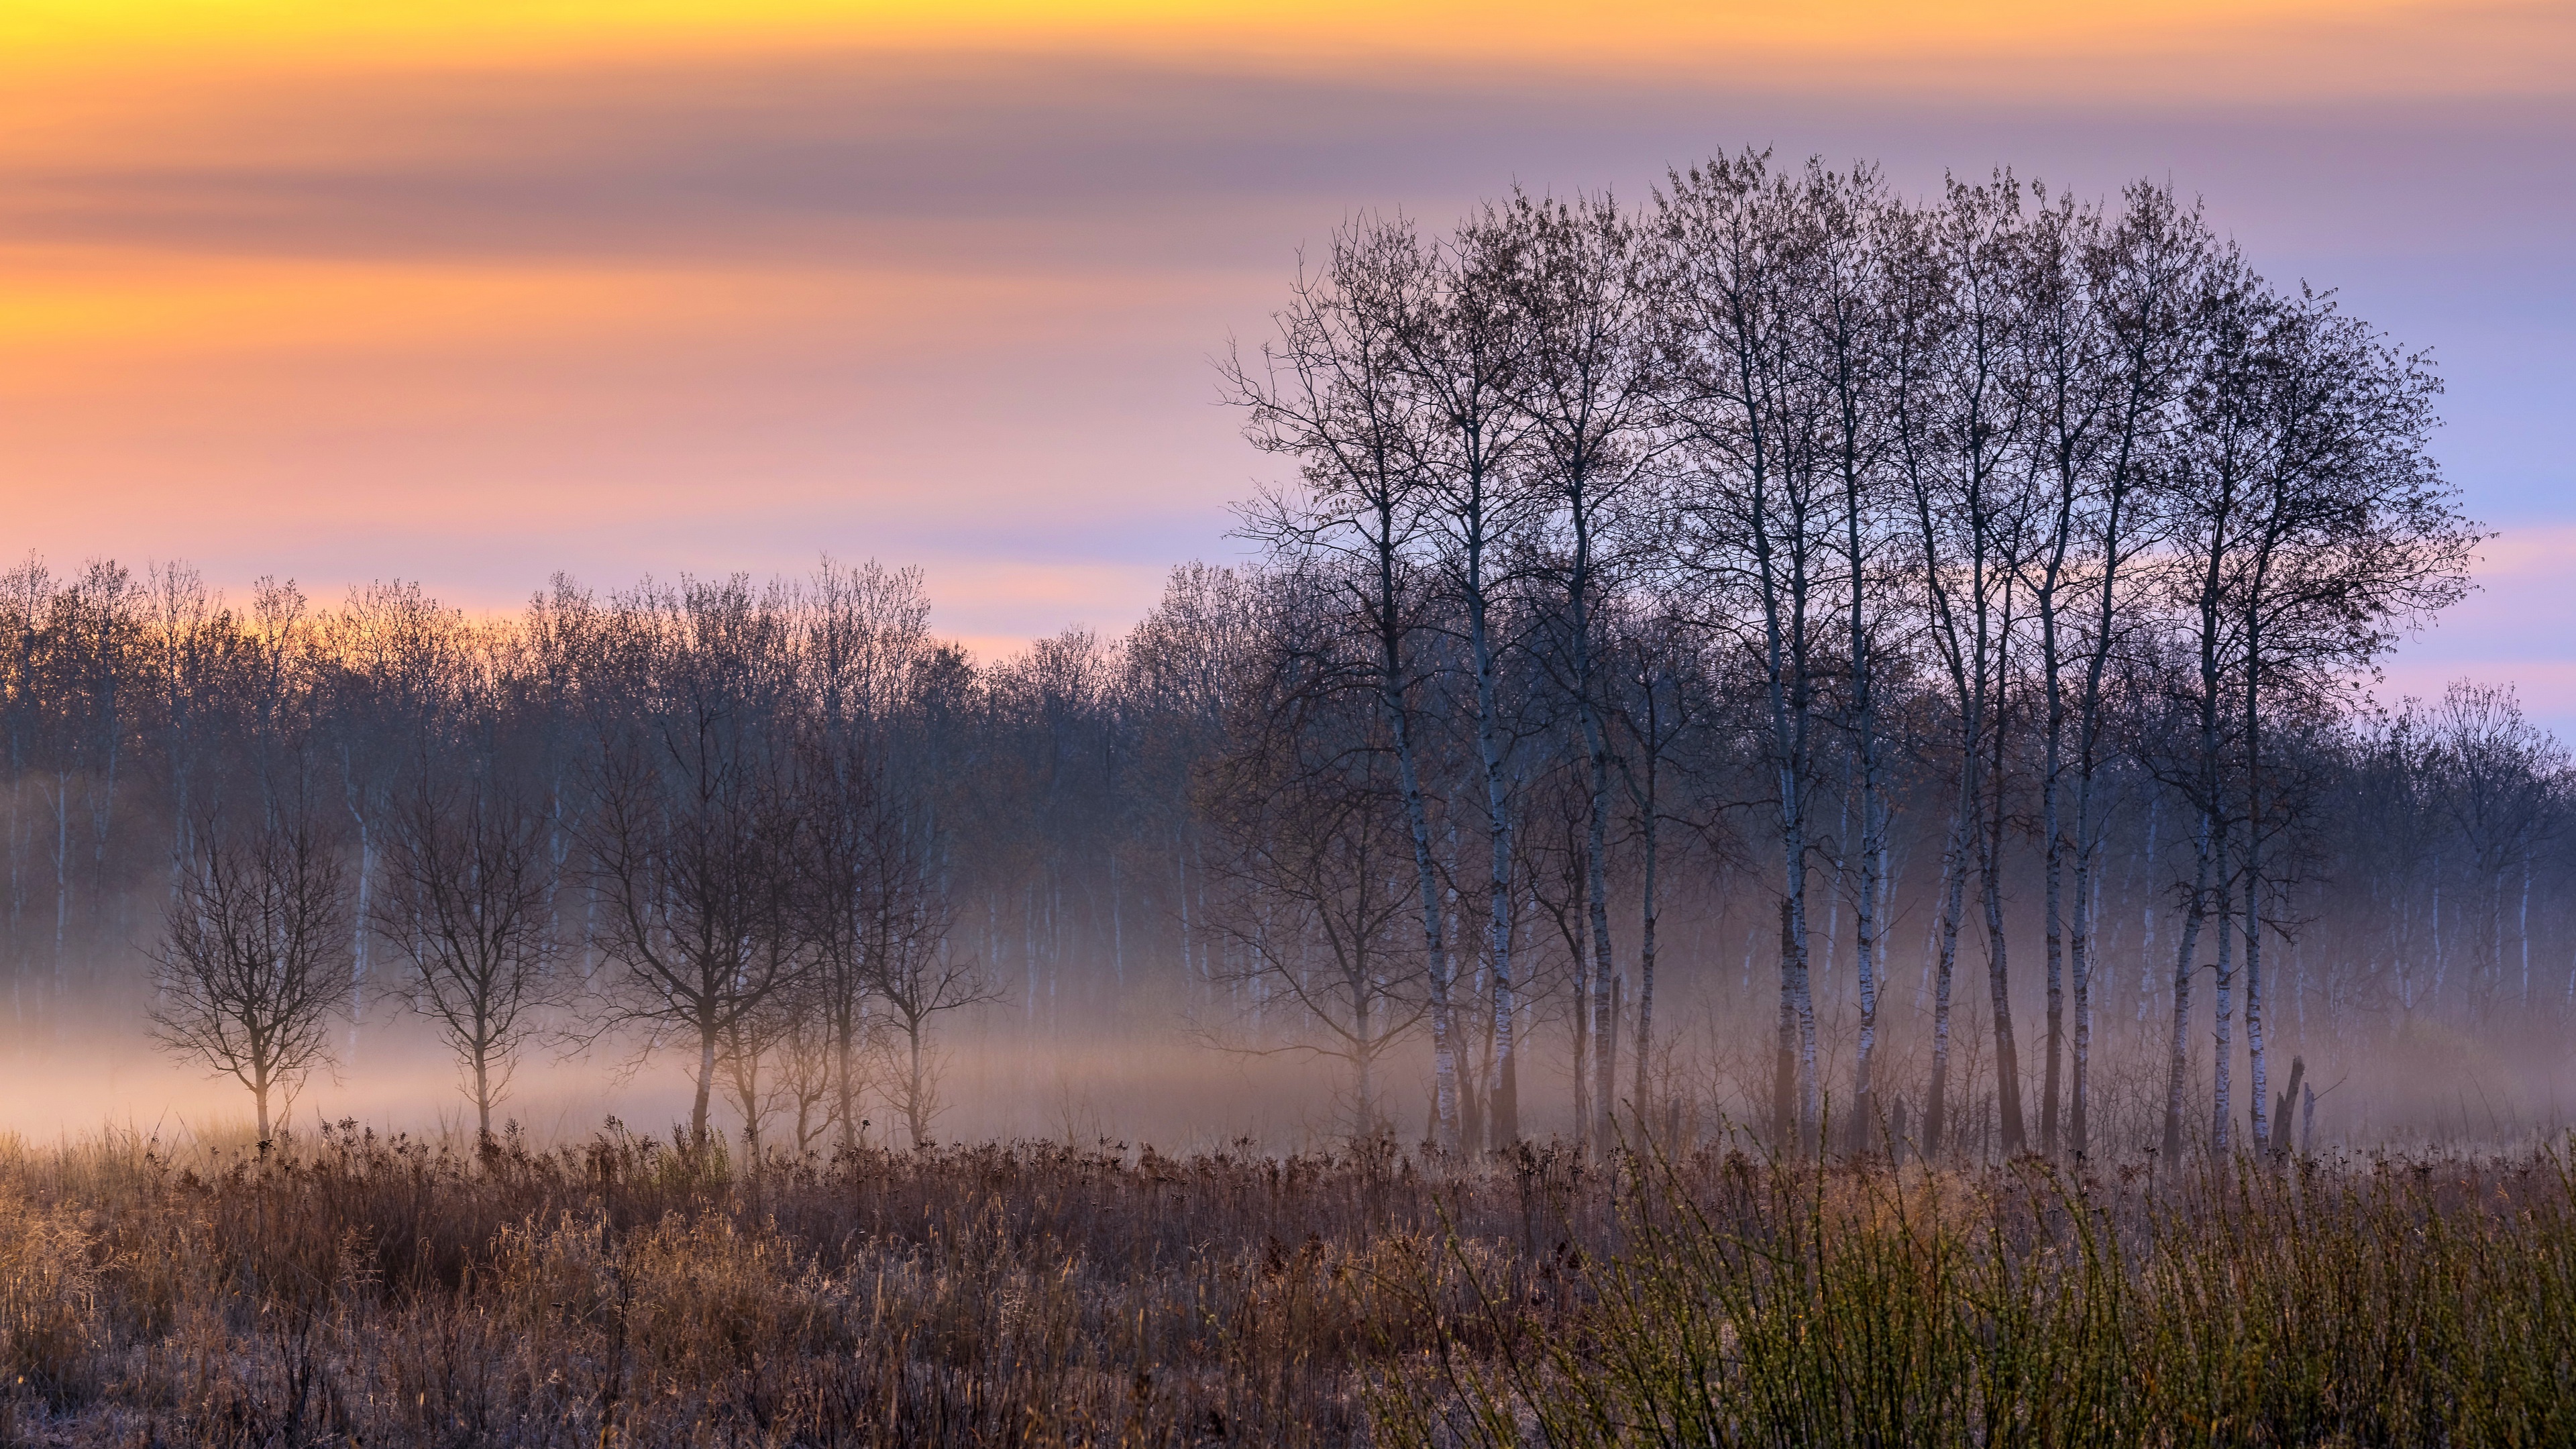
[{"x": 1784, "y": 509}]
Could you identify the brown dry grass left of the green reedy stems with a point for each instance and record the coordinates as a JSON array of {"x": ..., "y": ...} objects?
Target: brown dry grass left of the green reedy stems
[{"x": 630, "y": 1290}]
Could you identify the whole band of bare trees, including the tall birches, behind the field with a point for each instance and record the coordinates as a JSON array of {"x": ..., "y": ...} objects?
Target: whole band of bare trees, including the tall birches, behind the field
[{"x": 1869, "y": 669}]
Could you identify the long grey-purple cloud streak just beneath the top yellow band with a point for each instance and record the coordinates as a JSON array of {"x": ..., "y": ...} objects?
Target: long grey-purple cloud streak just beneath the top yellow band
[{"x": 1109, "y": 164}]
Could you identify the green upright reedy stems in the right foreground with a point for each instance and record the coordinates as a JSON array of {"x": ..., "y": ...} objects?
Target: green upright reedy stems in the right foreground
[{"x": 2382, "y": 1301}]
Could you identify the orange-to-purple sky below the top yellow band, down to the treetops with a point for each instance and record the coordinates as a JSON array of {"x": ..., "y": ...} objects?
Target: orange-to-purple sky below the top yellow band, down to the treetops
[{"x": 486, "y": 326}]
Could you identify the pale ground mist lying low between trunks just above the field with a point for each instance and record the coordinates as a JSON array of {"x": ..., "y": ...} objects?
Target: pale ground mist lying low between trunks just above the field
[{"x": 2420, "y": 1087}]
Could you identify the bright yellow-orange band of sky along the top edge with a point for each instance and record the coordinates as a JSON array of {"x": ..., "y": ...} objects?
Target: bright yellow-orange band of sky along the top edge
[{"x": 2029, "y": 48}]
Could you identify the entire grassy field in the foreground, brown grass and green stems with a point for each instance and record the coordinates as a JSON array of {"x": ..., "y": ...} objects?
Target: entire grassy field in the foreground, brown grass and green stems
[{"x": 630, "y": 1290}]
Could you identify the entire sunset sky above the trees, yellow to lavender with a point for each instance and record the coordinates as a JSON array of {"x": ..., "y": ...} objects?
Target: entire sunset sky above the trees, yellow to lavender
[{"x": 486, "y": 290}]
